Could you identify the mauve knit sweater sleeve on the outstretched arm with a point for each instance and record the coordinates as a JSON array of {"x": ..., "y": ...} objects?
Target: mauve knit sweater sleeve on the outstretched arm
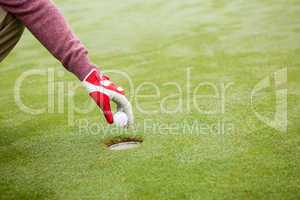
[{"x": 48, "y": 25}]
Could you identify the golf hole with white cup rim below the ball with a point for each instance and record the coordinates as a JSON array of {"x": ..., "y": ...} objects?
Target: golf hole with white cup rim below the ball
[{"x": 124, "y": 143}]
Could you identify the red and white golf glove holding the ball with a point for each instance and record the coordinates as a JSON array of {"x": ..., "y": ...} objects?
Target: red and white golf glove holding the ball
[{"x": 102, "y": 90}]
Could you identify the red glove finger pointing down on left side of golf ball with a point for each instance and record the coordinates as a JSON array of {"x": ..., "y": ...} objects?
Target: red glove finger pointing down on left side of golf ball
[{"x": 103, "y": 102}]
